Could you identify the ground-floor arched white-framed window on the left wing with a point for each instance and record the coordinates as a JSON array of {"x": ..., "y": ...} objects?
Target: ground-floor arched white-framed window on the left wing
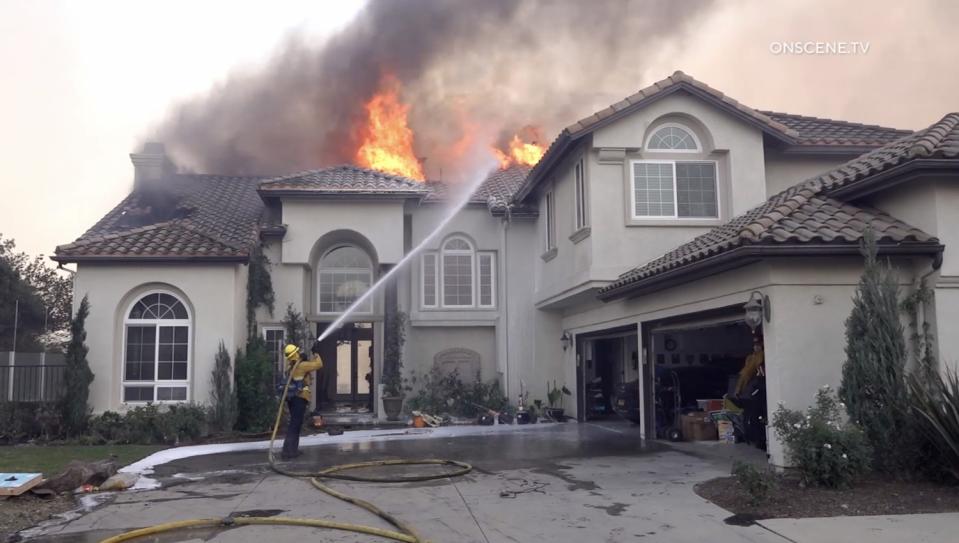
[{"x": 156, "y": 353}]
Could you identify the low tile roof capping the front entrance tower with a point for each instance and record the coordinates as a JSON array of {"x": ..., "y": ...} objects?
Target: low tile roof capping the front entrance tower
[{"x": 344, "y": 179}]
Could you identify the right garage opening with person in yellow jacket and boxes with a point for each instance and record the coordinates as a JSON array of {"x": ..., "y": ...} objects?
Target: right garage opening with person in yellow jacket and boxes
[{"x": 708, "y": 380}]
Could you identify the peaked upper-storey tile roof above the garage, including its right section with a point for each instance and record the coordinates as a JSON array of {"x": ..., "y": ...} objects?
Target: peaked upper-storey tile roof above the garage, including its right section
[{"x": 789, "y": 130}]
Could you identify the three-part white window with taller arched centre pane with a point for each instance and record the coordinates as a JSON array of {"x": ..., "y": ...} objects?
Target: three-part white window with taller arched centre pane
[{"x": 457, "y": 276}]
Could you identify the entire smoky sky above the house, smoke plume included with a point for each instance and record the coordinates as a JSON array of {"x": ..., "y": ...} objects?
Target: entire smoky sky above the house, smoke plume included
[{"x": 280, "y": 88}]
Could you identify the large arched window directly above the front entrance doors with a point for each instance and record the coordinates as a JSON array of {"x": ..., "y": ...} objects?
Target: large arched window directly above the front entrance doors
[{"x": 344, "y": 274}]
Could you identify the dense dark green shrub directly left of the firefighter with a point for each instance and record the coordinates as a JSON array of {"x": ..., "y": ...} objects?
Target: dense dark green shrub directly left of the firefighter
[{"x": 254, "y": 387}]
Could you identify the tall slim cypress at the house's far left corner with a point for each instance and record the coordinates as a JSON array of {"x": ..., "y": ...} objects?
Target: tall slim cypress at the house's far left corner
[{"x": 74, "y": 411}]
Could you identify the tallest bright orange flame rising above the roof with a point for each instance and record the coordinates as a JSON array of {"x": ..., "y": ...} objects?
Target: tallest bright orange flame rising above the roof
[{"x": 388, "y": 140}]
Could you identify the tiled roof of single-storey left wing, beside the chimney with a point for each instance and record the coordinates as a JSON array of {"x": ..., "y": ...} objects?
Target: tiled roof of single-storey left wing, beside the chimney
[{"x": 196, "y": 217}]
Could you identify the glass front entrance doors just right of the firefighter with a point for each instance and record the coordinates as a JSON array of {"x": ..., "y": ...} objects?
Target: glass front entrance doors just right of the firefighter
[{"x": 348, "y": 372}]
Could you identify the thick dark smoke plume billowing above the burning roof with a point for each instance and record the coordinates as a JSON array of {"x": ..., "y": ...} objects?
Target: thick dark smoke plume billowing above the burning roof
[{"x": 473, "y": 72}]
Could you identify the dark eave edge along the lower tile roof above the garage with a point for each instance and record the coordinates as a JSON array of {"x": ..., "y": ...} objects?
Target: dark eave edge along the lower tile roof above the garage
[{"x": 748, "y": 254}]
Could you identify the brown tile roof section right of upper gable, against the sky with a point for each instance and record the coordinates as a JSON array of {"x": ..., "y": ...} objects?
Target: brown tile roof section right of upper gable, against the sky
[{"x": 816, "y": 131}]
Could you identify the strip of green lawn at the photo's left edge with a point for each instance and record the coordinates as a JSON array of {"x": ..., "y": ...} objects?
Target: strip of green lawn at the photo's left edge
[{"x": 50, "y": 460}]
